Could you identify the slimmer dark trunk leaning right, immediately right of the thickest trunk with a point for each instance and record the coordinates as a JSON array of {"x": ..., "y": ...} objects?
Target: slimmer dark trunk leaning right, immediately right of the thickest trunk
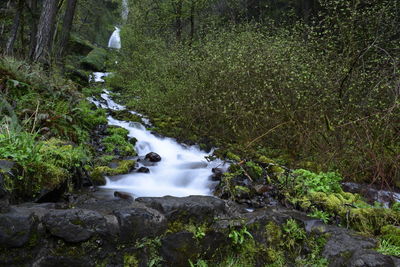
[{"x": 66, "y": 29}]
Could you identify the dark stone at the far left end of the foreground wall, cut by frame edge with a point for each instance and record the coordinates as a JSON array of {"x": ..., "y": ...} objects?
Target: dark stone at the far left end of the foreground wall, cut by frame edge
[{"x": 16, "y": 228}]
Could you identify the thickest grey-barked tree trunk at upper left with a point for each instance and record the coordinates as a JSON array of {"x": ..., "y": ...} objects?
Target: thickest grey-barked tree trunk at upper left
[{"x": 45, "y": 32}]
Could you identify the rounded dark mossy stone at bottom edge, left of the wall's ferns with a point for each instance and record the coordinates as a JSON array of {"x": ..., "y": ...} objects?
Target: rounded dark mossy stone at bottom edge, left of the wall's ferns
[{"x": 178, "y": 248}]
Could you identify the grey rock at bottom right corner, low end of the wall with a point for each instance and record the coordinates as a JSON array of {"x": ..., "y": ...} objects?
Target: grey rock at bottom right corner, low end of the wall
[{"x": 370, "y": 258}]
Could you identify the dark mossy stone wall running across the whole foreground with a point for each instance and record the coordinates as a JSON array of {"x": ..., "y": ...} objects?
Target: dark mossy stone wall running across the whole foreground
[{"x": 170, "y": 231}]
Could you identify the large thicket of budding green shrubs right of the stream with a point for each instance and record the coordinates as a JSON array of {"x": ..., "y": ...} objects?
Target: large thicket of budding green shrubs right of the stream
[{"x": 319, "y": 92}]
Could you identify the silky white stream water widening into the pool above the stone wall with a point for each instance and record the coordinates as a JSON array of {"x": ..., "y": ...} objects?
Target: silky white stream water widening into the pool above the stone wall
[{"x": 183, "y": 170}]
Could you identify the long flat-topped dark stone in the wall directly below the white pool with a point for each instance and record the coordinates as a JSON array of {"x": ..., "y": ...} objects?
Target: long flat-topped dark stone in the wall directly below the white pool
[{"x": 192, "y": 207}]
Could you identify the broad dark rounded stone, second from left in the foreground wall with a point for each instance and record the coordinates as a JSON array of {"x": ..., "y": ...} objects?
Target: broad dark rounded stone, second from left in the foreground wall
[{"x": 75, "y": 225}]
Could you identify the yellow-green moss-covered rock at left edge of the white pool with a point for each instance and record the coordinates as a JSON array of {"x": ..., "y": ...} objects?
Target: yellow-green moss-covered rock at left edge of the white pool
[{"x": 123, "y": 167}]
